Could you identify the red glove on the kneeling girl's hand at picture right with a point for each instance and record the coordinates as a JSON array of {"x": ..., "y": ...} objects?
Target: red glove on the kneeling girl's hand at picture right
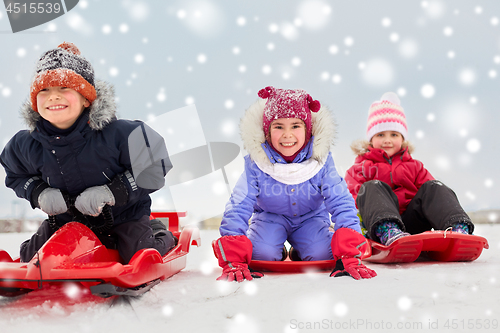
[{"x": 347, "y": 248}]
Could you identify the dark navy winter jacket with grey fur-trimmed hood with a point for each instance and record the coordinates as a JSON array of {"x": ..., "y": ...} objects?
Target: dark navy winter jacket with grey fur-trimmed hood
[{"x": 95, "y": 153}]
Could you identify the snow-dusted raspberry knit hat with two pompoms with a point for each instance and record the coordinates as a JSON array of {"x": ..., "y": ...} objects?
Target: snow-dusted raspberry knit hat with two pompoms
[{"x": 286, "y": 103}]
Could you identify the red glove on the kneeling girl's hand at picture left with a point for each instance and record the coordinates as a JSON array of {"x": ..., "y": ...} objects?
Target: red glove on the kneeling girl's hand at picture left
[{"x": 234, "y": 254}]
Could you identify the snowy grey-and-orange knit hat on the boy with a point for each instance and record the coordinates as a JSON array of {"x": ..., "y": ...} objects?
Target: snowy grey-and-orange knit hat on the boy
[{"x": 63, "y": 67}]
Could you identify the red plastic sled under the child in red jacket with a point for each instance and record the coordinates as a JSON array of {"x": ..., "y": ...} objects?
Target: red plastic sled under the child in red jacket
[{"x": 438, "y": 245}]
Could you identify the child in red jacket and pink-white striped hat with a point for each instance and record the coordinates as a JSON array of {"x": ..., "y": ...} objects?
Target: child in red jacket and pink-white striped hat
[{"x": 394, "y": 193}]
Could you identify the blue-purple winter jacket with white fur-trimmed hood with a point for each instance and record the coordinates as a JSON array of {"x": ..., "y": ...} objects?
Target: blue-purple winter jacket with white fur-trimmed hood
[{"x": 309, "y": 188}]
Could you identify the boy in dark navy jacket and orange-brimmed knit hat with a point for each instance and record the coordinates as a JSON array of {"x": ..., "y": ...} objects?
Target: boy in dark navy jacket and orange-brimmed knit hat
[{"x": 75, "y": 158}]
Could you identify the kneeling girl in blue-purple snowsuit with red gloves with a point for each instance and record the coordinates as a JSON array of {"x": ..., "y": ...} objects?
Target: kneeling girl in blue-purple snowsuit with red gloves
[{"x": 288, "y": 188}]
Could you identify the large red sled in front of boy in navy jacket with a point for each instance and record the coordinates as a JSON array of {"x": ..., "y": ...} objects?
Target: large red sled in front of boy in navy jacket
[{"x": 75, "y": 254}]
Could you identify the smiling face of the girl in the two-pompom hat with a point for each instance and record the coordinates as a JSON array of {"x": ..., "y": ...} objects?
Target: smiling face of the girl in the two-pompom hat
[{"x": 287, "y": 135}]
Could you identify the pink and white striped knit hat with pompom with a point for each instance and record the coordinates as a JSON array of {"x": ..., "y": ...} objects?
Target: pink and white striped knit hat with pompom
[{"x": 386, "y": 115}]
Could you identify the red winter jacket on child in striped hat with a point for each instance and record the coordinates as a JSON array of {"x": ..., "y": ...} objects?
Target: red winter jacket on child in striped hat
[{"x": 401, "y": 172}]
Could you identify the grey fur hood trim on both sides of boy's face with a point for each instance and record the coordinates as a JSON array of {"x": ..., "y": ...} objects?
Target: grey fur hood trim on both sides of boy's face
[{"x": 102, "y": 110}]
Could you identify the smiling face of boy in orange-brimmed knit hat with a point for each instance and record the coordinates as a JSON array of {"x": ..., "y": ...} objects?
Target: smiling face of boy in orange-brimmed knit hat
[{"x": 60, "y": 106}]
